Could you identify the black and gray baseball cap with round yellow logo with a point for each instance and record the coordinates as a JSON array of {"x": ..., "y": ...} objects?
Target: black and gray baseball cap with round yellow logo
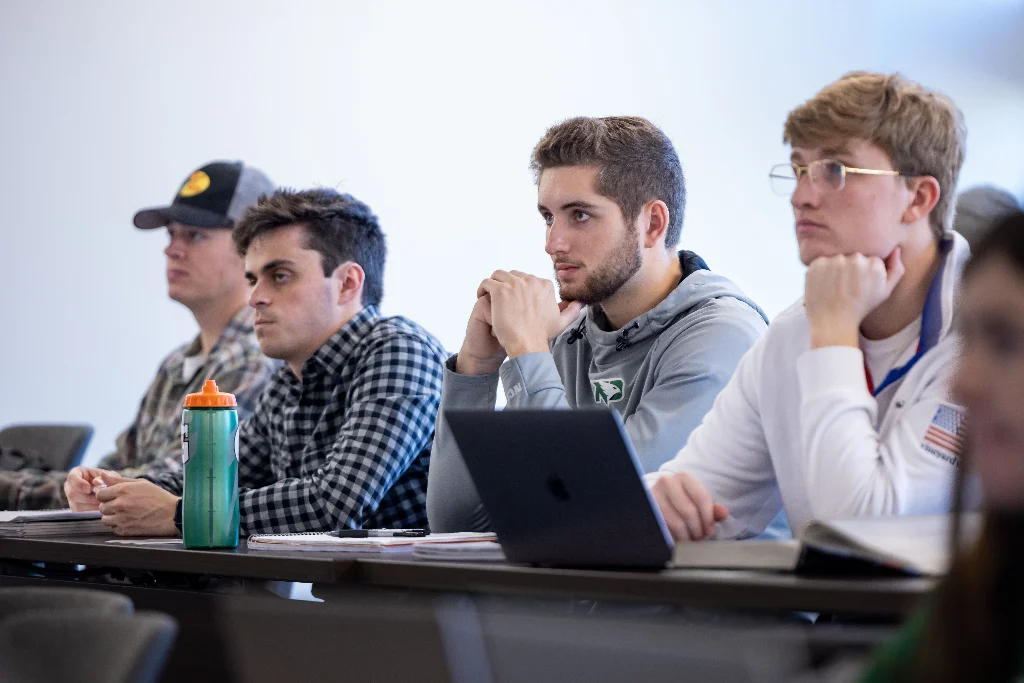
[{"x": 215, "y": 196}]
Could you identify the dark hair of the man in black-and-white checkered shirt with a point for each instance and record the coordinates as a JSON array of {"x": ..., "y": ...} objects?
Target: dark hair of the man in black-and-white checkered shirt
[{"x": 339, "y": 227}]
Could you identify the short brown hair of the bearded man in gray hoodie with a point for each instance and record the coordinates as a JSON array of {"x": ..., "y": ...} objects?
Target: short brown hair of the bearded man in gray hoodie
[{"x": 636, "y": 160}]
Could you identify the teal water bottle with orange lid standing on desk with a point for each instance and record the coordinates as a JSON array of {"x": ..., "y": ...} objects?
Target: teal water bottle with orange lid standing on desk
[{"x": 210, "y": 461}]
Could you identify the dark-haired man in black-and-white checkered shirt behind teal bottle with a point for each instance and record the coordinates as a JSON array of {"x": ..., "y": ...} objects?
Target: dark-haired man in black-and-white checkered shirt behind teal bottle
[{"x": 342, "y": 439}]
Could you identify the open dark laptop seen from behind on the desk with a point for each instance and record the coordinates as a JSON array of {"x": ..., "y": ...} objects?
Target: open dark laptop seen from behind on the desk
[{"x": 563, "y": 488}]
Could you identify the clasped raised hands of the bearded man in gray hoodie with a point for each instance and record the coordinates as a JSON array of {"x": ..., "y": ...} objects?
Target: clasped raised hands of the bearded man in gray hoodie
[{"x": 516, "y": 314}]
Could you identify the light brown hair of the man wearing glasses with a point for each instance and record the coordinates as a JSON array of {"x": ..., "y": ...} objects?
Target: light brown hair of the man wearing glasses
[{"x": 921, "y": 131}]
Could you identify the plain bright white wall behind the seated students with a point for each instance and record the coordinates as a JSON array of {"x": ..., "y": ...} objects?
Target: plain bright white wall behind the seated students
[{"x": 428, "y": 111}]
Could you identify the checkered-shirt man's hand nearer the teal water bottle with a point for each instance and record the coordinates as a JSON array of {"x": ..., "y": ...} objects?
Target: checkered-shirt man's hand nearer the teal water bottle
[{"x": 139, "y": 507}]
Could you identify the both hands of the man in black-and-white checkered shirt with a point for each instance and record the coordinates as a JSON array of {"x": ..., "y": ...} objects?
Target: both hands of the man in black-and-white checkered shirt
[{"x": 131, "y": 507}]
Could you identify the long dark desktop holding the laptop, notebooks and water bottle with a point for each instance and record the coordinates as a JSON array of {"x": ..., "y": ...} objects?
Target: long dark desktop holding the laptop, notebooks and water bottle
[{"x": 726, "y": 589}]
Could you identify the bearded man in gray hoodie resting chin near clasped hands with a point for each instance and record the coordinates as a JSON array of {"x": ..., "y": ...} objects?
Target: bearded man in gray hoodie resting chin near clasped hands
[{"x": 642, "y": 329}]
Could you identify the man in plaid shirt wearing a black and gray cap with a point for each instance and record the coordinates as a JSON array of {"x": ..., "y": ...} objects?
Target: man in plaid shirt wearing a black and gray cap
[{"x": 207, "y": 276}]
